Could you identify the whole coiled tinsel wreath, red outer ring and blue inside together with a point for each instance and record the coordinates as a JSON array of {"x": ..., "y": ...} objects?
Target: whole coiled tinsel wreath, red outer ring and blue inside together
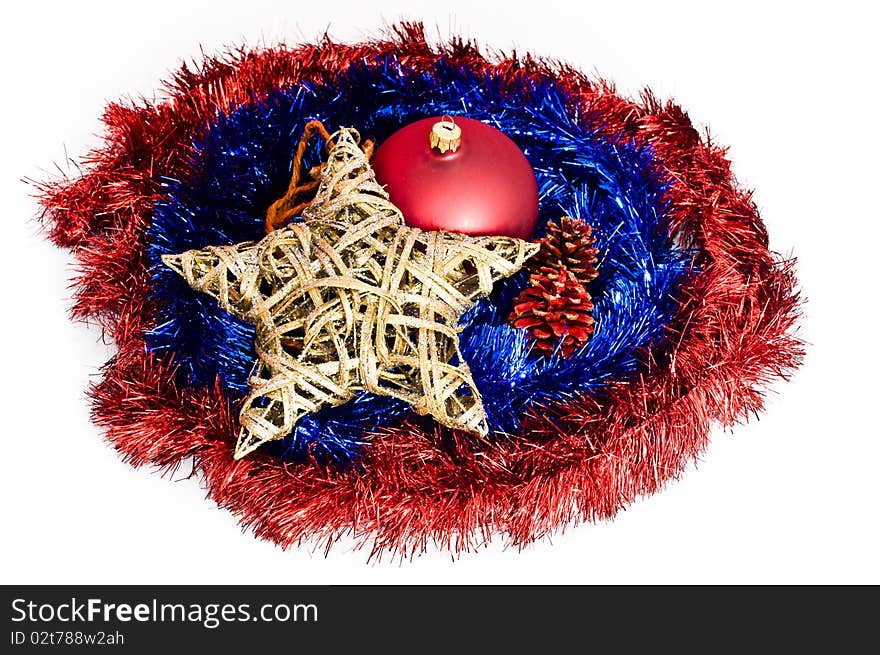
[{"x": 693, "y": 315}]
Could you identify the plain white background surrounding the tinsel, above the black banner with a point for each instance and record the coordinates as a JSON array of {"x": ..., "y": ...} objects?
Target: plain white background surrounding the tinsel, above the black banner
[{"x": 790, "y": 498}]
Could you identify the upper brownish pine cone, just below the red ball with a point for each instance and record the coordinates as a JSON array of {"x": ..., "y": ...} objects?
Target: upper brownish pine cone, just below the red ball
[{"x": 568, "y": 244}]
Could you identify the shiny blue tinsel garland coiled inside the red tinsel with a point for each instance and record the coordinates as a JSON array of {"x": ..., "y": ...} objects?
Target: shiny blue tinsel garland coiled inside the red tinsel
[{"x": 242, "y": 164}]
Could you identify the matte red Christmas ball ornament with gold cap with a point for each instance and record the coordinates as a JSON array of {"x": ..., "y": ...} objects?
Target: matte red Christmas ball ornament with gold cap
[{"x": 459, "y": 175}]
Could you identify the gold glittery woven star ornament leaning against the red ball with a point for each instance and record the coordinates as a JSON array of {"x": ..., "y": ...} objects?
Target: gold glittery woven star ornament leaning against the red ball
[{"x": 352, "y": 300}]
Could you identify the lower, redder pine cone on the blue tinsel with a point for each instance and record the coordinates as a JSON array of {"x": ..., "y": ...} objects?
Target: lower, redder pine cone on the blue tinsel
[{"x": 555, "y": 309}]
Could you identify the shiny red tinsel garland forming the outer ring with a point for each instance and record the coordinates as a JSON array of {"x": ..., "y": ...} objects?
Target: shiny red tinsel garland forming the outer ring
[{"x": 415, "y": 484}]
